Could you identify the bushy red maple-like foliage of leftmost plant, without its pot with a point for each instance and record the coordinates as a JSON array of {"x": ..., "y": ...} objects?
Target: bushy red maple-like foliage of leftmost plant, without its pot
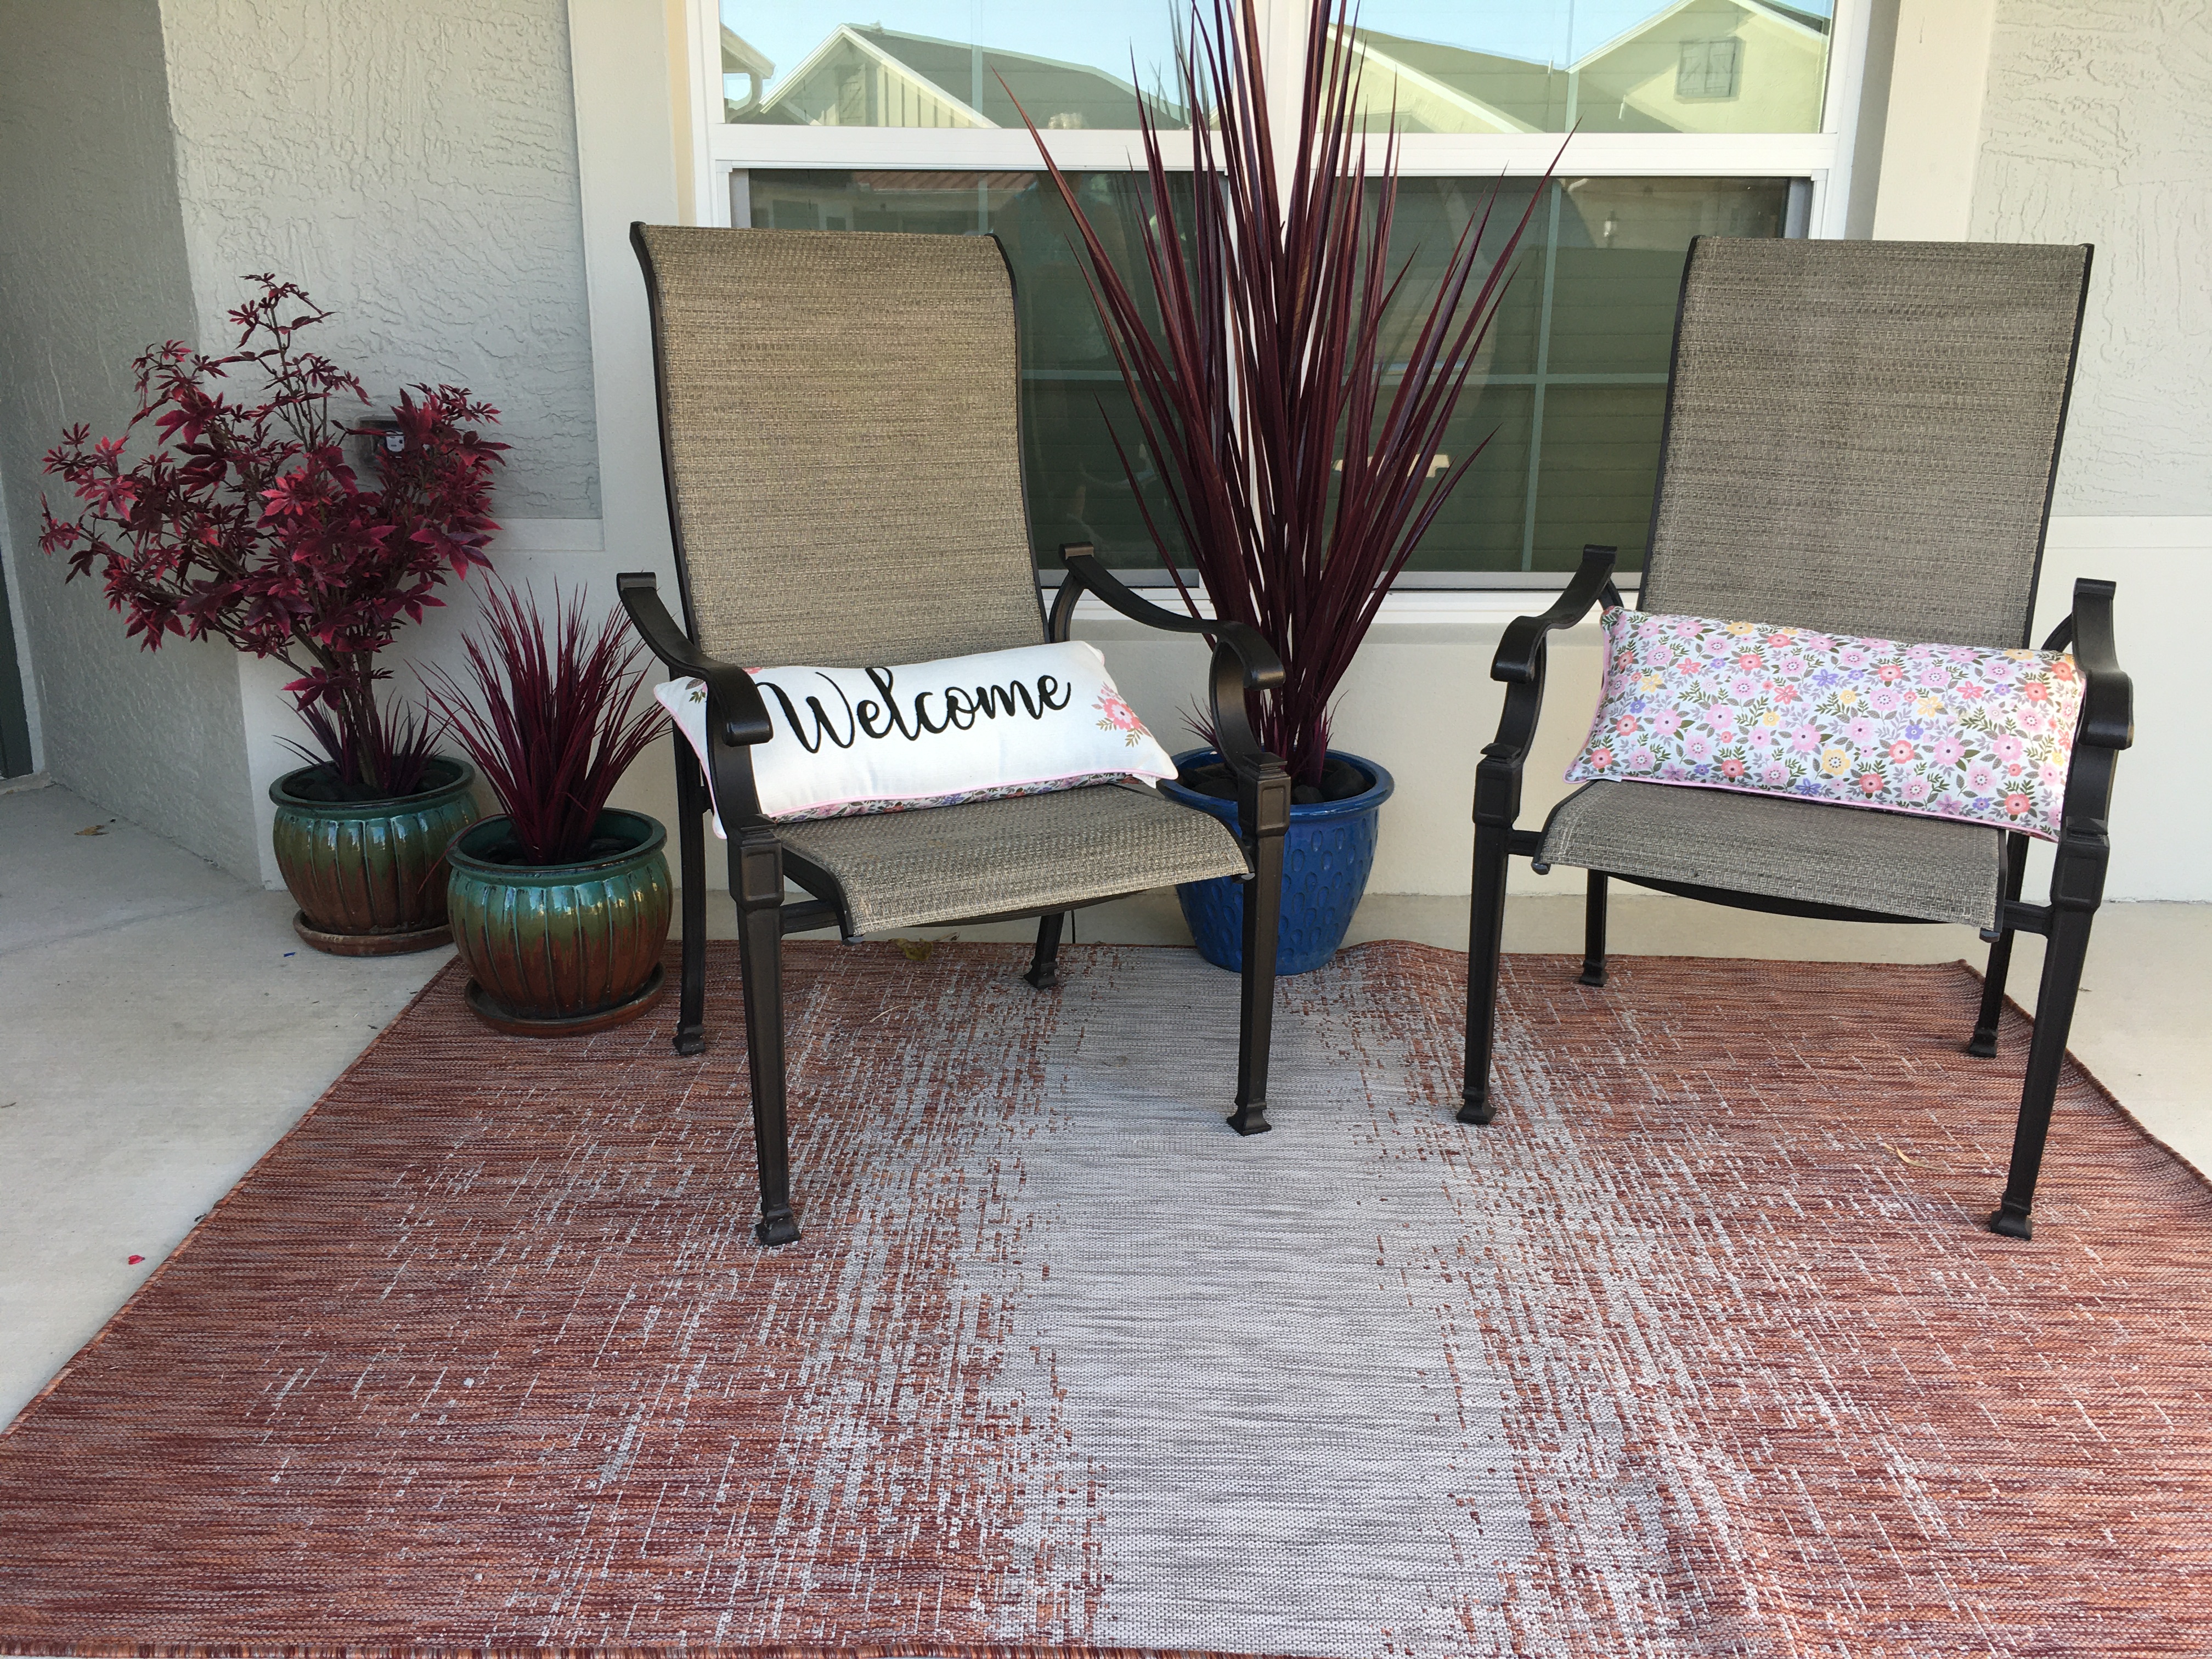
[{"x": 247, "y": 523}]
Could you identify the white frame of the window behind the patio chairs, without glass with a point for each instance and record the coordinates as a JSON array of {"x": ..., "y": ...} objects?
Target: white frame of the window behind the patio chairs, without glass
[{"x": 724, "y": 154}]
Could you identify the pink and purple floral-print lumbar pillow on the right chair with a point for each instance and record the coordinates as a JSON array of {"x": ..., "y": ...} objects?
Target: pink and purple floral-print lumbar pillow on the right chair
[{"x": 1939, "y": 731}]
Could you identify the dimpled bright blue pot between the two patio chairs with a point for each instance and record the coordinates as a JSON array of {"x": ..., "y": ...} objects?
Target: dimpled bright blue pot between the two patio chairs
[{"x": 1326, "y": 859}]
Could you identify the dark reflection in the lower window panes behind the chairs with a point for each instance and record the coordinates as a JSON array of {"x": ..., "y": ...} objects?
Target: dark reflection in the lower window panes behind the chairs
[{"x": 1561, "y": 424}]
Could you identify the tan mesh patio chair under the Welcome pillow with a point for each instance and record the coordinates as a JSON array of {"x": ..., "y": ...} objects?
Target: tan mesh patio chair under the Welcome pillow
[{"x": 844, "y": 466}]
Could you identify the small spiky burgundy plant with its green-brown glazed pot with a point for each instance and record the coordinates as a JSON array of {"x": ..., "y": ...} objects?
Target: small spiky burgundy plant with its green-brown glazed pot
[{"x": 561, "y": 906}]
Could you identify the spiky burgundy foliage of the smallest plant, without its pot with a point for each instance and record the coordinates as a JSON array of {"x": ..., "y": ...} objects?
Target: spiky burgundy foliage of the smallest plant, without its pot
[{"x": 552, "y": 720}]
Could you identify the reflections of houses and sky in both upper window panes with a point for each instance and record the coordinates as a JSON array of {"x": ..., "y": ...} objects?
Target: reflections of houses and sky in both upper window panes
[{"x": 1439, "y": 65}]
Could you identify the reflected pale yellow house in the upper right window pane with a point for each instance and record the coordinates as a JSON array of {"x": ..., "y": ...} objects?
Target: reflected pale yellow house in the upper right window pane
[{"x": 1695, "y": 67}]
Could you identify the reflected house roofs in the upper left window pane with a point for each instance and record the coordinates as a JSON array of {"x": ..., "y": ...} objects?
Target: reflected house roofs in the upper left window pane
[{"x": 873, "y": 76}]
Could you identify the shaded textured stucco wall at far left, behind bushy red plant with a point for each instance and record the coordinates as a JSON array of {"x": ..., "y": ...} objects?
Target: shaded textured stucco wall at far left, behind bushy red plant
[{"x": 92, "y": 271}]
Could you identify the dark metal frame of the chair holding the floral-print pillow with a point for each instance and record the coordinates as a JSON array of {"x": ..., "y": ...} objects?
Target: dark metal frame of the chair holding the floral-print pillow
[{"x": 2083, "y": 848}]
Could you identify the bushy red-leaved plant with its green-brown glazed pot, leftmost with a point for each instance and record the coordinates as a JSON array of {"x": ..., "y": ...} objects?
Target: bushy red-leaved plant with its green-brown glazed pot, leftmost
[{"x": 247, "y": 523}]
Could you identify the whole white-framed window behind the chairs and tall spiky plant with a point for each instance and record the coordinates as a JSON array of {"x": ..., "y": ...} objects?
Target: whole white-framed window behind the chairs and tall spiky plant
[{"x": 1691, "y": 118}]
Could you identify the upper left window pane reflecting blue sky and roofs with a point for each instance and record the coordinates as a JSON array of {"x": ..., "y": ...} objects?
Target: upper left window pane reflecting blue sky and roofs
[{"x": 948, "y": 63}]
